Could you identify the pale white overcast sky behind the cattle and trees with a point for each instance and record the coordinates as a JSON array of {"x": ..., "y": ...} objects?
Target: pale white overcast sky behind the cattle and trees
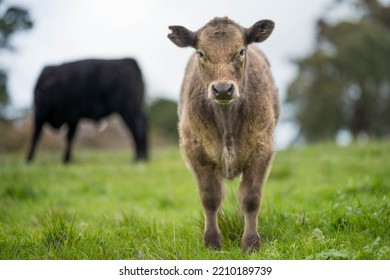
[{"x": 68, "y": 30}]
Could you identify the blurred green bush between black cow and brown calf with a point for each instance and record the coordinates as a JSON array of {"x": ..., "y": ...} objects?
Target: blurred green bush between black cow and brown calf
[{"x": 163, "y": 119}]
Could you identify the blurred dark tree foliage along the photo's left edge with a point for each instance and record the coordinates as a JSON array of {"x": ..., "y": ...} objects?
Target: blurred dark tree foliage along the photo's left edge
[{"x": 12, "y": 20}]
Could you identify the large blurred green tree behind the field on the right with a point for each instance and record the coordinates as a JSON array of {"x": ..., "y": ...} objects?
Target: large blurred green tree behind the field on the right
[{"x": 345, "y": 82}]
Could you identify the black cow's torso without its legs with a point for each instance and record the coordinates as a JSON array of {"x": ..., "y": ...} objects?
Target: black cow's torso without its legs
[{"x": 90, "y": 88}]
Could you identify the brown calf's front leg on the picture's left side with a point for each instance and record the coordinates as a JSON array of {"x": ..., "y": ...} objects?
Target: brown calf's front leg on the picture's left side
[{"x": 211, "y": 193}]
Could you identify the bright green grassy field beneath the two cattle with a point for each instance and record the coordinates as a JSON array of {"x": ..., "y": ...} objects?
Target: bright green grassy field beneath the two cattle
[{"x": 320, "y": 202}]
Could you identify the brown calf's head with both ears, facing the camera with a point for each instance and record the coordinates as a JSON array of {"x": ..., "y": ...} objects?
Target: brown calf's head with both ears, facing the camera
[{"x": 221, "y": 48}]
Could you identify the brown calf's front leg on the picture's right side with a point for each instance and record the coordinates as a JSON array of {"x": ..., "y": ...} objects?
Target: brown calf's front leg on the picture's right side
[{"x": 249, "y": 196}]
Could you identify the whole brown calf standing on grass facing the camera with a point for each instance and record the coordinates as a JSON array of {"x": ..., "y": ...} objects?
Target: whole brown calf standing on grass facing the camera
[{"x": 228, "y": 111}]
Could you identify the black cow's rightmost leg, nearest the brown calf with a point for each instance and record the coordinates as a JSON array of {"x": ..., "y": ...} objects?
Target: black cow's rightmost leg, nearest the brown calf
[{"x": 138, "y": 128}]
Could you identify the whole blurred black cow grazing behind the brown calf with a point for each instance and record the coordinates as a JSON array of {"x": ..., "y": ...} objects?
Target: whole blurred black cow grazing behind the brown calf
[{"x": 90, "y": 89}]
